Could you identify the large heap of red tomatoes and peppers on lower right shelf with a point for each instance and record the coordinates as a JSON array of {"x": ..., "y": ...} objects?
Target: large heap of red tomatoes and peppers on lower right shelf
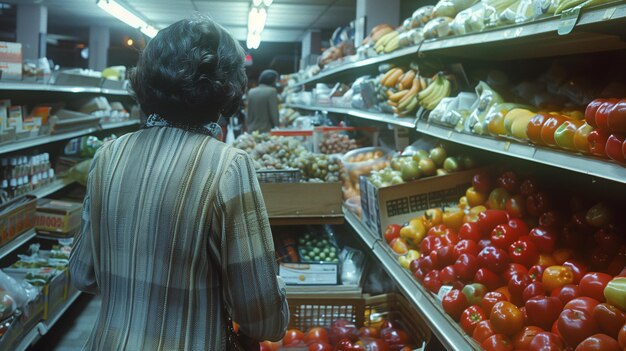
[{"x": 521, "y": 273}]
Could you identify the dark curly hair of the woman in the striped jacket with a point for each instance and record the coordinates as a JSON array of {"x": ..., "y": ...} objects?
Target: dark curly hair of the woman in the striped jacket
[{"x": 190, "y": 73}]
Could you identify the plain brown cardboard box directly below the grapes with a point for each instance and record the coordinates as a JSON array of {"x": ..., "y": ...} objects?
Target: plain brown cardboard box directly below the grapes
[{"x": 302, "y": 199}]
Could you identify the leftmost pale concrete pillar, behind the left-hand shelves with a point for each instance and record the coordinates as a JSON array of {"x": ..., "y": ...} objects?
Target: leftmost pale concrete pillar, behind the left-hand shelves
[{"x": 32, "y": 28}]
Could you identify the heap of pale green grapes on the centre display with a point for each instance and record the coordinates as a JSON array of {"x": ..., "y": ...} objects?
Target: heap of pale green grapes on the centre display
[{"x": 277, "y": 152}]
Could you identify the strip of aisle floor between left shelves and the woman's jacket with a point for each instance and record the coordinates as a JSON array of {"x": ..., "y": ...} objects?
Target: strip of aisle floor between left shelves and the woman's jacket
[{"x": 73, "y": 329}]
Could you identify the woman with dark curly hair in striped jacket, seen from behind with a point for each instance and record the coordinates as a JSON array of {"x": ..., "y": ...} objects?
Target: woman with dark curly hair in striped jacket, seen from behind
[{"x": 175, "y": 233}]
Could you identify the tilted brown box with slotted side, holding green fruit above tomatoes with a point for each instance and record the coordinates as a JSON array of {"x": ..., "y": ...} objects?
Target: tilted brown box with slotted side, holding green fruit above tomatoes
[{"x": 400, "y": 203}]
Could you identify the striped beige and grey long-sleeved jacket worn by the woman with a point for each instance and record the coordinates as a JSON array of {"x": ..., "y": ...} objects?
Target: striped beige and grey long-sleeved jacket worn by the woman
[{"x": 174, "y": 228}]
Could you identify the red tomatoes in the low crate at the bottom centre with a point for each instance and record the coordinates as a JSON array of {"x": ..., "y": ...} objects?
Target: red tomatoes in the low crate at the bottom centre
[{"x": 343, "y": 335}]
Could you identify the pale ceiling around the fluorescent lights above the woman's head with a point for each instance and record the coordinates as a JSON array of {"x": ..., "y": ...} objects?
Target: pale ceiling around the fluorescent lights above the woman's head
[{"x": 287, "y": 20}]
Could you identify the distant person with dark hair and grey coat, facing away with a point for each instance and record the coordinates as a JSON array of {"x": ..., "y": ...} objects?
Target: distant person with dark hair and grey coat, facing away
[{"x": 263, "y": 104}]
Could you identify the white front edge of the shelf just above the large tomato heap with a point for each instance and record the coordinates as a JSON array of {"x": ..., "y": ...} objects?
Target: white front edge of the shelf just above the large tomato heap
[{"x": 582, "y": 164}]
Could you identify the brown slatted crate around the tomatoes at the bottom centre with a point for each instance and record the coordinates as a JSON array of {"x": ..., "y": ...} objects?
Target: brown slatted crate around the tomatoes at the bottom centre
[{"x": 307, "y": 312}]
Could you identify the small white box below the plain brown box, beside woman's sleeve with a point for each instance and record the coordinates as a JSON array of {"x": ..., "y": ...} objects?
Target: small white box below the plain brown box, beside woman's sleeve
[{"x": 309, "y": 273}]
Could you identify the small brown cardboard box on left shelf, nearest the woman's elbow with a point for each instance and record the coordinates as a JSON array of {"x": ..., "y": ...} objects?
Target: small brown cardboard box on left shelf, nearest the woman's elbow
[{"x": 55, "y": 216}]
